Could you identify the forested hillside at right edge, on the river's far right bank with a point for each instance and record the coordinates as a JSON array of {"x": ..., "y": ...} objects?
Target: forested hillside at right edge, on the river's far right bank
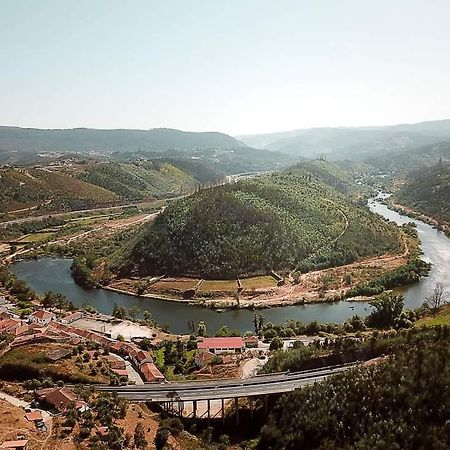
[{"x": 428, "y": 191}]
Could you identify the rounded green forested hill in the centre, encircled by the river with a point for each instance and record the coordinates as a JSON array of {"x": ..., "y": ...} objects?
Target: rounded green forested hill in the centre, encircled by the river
[{"x": 280, "y": 221}]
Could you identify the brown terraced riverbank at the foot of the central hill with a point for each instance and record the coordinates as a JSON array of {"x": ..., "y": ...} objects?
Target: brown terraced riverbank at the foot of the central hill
[{"x": 320, "y": 286}]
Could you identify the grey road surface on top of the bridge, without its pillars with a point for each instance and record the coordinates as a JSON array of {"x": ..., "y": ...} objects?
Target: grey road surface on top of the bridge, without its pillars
[{"x": 214, "y": 390}]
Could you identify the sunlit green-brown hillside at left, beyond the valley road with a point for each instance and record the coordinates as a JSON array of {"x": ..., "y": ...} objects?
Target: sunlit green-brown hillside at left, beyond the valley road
[{"x": 88, "y": 185}]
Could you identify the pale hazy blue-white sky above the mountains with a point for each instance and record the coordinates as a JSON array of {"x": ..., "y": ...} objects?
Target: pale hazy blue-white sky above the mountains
[{"x": 237, "y": 66}]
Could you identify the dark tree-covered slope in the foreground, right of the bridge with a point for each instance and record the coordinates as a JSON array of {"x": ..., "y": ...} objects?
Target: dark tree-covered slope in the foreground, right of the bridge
[{"x": 398, "y": 402}]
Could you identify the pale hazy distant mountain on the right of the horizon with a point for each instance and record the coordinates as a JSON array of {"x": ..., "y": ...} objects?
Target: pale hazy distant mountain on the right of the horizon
[{"x": 353, "y": 143}]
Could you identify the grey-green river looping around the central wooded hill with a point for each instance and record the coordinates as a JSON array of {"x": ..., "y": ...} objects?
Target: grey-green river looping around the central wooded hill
[{"x": 53, "y": 274}]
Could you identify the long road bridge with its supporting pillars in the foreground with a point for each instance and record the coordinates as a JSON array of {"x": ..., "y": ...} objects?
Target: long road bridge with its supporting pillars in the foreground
[{"x": 173, "y": 396}]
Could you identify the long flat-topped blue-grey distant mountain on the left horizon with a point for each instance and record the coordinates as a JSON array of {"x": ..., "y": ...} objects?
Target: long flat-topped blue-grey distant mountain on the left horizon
[{"x": 87, "y": 139}]
